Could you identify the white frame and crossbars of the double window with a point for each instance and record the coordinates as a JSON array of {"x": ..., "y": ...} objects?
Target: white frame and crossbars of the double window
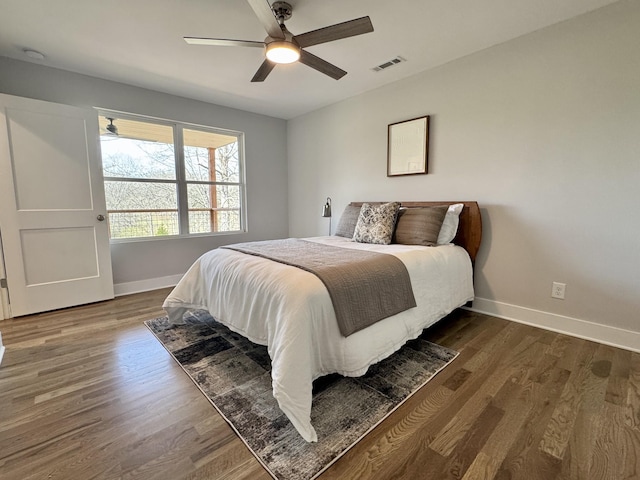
[{"x": 180, "y": 180}]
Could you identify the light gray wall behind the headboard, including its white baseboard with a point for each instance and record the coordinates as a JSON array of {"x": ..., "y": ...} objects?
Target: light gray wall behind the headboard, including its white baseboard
[{"x": 544, "y": 132}]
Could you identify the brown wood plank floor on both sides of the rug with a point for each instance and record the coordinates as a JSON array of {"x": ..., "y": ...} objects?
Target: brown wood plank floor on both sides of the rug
[{"x": 88, "y": 392}]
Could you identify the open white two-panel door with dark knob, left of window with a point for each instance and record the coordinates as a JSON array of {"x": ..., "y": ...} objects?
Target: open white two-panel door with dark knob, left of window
[{"x": 52, "y": 207}]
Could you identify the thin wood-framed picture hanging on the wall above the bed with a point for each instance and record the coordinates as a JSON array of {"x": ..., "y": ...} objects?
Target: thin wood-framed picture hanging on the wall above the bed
[{"x": 408, "y": 147}]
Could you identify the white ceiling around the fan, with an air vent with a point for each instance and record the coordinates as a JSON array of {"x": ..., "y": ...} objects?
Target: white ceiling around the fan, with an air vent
[{"x": 139, "y": 42}]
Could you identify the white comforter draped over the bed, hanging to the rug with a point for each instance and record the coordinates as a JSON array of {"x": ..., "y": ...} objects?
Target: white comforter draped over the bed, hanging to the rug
[{"x": 289, "y": 310}]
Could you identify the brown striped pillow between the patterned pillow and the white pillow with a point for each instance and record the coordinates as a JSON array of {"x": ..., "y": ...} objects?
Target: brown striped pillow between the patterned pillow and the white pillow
[{"x": 420, "y": 226}]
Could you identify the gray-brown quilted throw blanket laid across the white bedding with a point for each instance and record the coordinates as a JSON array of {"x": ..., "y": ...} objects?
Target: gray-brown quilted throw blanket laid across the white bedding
[{"x": 365, "y": 287}]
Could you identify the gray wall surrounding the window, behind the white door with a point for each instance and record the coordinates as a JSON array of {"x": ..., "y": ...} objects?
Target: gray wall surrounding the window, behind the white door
[{"x": 265, "y": 149}]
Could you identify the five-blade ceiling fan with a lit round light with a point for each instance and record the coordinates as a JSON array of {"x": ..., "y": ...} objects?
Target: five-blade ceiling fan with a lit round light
[{"x": 284, "y": 47}]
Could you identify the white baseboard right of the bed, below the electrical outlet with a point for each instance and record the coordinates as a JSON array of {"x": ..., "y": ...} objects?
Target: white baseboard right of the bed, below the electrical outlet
[{"x": 616, "y": 337}]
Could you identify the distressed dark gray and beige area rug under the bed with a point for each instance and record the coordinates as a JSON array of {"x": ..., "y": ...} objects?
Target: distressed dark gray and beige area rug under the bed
[{"x": 234, "y": 374}]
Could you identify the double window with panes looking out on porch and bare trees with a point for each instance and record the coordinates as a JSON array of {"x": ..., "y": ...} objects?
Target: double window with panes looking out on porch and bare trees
[{"x": 164, "y": 178}]
